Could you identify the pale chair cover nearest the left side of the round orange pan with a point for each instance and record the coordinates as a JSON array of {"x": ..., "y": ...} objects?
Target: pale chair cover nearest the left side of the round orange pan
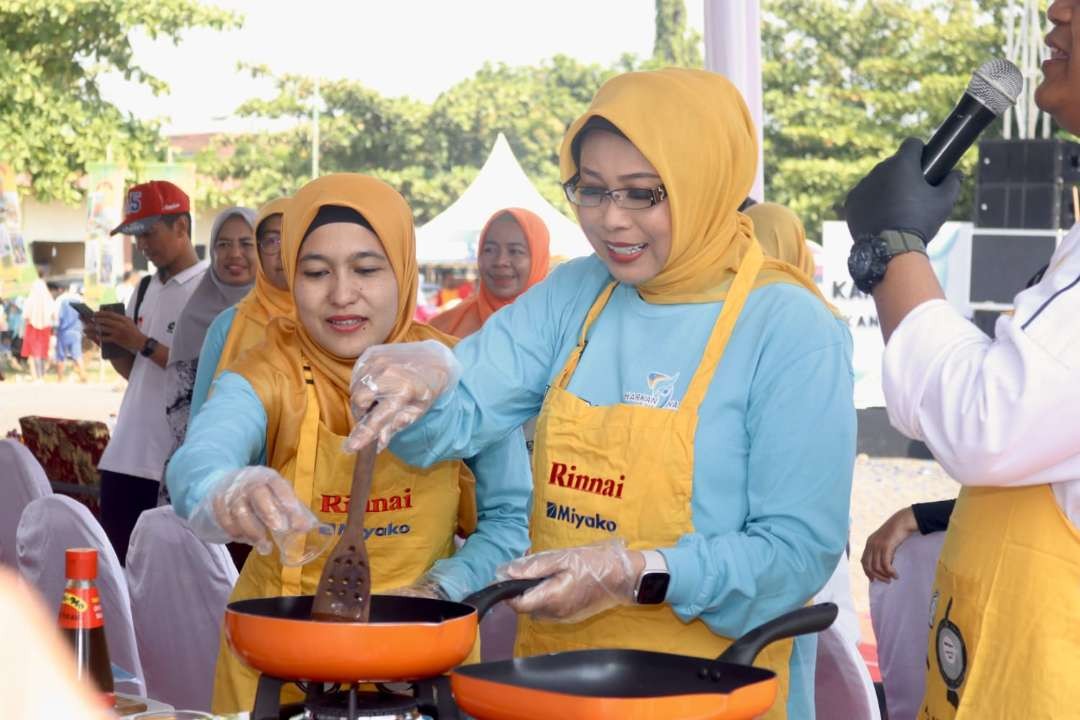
[{"x": 180, "y": 588}]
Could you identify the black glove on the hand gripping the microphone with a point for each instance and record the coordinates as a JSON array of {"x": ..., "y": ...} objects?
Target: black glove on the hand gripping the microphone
[{"x": 896, "y": 197}]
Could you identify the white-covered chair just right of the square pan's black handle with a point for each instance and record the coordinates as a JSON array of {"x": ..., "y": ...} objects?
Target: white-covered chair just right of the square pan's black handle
[{"x": 843, "y": 684}]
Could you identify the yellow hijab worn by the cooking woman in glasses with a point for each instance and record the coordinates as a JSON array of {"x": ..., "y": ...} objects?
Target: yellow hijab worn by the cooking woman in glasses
[{"x": 696, "y": 130}]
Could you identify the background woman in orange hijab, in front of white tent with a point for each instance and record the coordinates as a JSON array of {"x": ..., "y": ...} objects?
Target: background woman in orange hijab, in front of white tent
[{"x": 512, "y": 257}]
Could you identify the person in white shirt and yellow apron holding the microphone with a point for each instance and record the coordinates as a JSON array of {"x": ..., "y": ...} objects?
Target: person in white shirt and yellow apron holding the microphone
[{"x": 1003, "y": 417}]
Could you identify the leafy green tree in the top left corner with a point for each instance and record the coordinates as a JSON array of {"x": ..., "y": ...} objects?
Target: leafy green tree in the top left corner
[{"x": 53, "y": 119}]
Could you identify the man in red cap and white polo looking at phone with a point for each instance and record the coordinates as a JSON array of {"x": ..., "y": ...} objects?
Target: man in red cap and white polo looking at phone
[{"x": 158, "y": 215}]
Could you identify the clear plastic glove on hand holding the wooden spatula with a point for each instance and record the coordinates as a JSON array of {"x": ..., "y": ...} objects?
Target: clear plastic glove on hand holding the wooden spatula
[{"x": 393, "y": 386}]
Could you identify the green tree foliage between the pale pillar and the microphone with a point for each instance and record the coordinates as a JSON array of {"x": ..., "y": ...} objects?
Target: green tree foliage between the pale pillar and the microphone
[{"x": 847, "y": 80}]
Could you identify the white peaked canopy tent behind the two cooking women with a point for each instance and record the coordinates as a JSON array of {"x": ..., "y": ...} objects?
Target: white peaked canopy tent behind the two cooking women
[{"x": 453, "y": 236}]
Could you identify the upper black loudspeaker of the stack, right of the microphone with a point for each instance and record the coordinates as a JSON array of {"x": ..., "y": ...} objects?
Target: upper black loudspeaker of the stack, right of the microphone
[{"x": 1027, "y": 184}]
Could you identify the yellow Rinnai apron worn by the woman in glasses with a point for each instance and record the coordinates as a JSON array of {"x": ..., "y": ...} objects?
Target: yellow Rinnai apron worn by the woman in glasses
[{"x": 627, "y": 472}]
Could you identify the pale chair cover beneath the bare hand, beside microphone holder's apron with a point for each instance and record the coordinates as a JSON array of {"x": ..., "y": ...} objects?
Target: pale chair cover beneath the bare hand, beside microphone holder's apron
[{"x": 900, "y": 613}]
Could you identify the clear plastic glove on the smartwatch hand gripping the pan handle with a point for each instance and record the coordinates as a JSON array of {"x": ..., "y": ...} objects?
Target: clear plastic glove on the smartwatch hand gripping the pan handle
[{"x": 582, "y": 581}]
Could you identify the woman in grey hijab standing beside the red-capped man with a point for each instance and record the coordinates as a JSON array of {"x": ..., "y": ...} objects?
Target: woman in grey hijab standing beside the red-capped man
[{"x": 233, "y": 267}]
